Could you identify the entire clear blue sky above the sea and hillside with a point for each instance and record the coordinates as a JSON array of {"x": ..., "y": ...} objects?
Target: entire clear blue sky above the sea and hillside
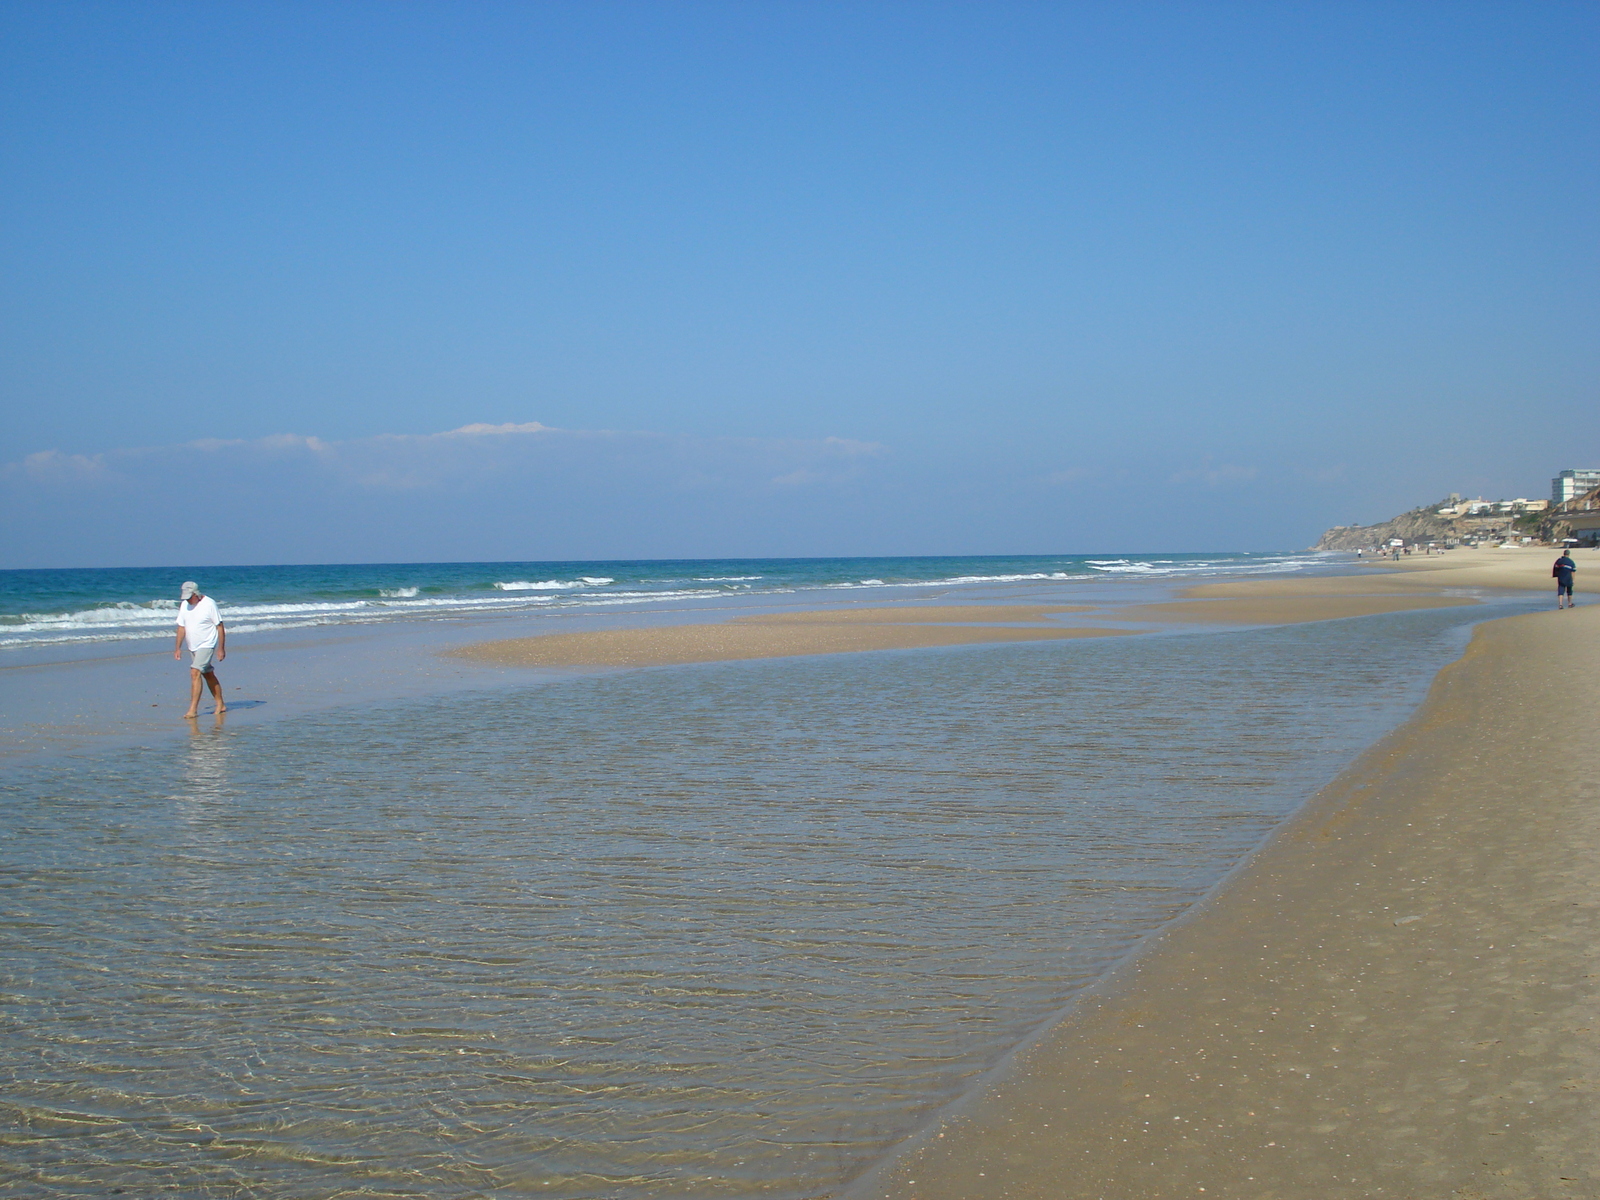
[{"x": 783, "y": 278}]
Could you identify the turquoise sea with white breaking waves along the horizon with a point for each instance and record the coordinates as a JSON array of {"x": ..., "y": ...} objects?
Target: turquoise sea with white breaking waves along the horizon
[{"x": 70, "y": 607}]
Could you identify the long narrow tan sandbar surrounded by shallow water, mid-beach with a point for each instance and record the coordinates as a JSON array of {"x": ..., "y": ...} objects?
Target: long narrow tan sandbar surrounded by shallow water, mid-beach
[{"x": 785, "y": 634}]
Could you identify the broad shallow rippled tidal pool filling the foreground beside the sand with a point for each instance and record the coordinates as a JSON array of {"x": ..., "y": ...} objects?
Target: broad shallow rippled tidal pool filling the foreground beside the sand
[{"x": 724, "y": 930}]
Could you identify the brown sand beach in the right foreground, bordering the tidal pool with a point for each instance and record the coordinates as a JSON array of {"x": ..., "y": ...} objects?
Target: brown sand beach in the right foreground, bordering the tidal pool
[{"x": 1398, "y": 998}]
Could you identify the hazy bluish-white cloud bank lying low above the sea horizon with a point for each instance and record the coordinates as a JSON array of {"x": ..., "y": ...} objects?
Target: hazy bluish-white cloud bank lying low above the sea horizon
[{"x": 522, "y": 490}]
